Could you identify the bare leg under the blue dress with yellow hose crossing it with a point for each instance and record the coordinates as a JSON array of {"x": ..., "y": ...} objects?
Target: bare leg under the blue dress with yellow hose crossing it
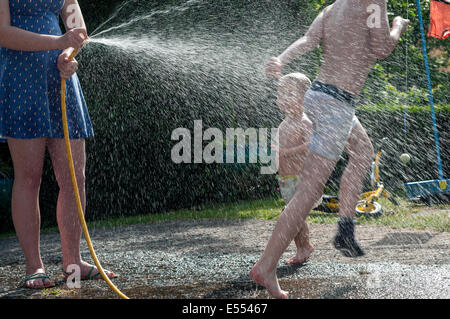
[{"x": 67, "y": 212}]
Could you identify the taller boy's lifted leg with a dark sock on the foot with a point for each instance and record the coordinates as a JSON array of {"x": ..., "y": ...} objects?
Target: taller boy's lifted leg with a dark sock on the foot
[{"x": 360, "y": 151}]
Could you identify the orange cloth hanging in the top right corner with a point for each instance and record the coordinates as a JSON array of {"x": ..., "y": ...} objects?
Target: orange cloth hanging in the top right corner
[{"x": 439, "y": 19}]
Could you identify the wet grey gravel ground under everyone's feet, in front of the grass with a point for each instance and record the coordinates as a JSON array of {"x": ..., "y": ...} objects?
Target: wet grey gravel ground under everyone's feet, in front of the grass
[{"x": 211, "y": 259}]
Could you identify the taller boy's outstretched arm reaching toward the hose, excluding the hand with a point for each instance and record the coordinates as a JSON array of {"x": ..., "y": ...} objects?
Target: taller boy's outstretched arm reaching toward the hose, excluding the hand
[{"x": 308, "y": 42}]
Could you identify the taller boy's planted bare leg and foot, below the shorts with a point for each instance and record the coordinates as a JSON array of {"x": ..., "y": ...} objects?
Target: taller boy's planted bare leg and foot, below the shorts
[{"x": 316, "y": 172}]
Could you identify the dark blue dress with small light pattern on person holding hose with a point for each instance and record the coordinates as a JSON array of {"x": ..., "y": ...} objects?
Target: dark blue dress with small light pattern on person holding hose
[{"x": 30, "y": 101}]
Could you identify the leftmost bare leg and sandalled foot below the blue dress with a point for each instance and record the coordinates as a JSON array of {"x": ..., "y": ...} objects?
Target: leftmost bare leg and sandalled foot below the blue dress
[{"x": 28, "y": 161}]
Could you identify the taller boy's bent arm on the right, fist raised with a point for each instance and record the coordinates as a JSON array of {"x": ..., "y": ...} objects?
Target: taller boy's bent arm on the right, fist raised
[{"x": 383, "y": 40}]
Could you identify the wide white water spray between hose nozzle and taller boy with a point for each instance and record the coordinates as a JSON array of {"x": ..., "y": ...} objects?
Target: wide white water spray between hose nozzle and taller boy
[{"x": 221, "y": 49}]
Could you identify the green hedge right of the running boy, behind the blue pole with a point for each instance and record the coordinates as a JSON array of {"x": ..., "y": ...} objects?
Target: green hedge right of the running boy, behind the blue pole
[{"x": 418, "y": 141}]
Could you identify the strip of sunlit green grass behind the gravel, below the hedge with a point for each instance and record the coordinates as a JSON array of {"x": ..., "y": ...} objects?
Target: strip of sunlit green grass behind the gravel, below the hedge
[{"x": 406, "y": 215}]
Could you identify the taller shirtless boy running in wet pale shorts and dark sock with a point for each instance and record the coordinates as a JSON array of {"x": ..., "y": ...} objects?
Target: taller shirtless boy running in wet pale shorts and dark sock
[{"x": 351, "y": 46}]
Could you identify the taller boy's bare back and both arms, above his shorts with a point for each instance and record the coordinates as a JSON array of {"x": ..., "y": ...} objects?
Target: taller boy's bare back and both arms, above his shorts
[{"x": 351, "y": 45}]
